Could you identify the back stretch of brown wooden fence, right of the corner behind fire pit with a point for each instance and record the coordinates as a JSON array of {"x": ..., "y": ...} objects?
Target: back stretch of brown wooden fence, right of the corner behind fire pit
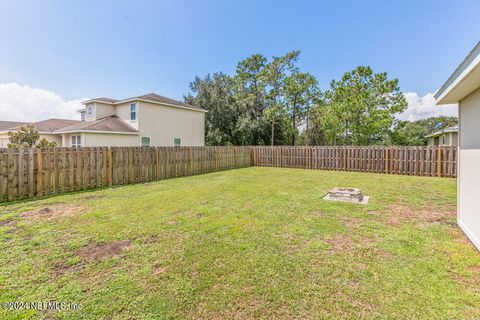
[{"x": 418, "y": 161}]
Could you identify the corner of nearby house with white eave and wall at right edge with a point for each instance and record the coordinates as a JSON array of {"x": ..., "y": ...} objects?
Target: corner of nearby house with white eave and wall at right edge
[{"x": 463, "y": 87}]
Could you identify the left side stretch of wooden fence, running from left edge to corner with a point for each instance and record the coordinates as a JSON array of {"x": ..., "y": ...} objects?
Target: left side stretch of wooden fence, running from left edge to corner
[{"x": 26, "y": 173}]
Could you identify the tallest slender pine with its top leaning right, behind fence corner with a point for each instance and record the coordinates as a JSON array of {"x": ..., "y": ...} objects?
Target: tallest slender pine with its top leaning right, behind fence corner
[{"x": 274, "y": 75}]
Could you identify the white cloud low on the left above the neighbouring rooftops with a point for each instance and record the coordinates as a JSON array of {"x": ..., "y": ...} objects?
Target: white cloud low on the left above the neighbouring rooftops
[{"x": 24, "y": 103}]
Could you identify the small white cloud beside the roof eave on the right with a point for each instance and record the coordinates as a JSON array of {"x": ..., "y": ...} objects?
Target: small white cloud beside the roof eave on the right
[{"x": 424, "y": 107}]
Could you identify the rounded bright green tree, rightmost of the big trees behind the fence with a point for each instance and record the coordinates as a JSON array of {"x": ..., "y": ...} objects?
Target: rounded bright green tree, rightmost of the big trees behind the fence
[{"x": 361, "y": 107}]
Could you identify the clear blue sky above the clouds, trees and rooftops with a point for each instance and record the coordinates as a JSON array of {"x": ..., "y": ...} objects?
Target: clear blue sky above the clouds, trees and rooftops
[{"x": 117, "y": 49}]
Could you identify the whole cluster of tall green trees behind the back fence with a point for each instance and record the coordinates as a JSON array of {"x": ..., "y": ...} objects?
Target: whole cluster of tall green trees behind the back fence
[{"x": 271, "y": 101}]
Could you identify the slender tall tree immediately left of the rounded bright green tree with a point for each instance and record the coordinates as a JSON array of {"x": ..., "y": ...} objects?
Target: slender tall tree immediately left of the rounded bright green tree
[{"x": 301, "y": 91}]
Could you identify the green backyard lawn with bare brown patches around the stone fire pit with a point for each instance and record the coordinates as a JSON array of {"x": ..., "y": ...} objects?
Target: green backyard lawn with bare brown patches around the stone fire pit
[{"x": 247, "y": 243}]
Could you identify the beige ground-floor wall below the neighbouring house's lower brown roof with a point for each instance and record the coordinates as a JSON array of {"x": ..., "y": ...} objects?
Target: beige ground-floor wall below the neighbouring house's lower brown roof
[{"x": 109, "y": 140}]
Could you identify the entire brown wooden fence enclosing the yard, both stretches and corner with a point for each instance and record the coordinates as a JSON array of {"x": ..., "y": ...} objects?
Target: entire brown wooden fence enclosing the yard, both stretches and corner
[{"x": 31, "y": 172}]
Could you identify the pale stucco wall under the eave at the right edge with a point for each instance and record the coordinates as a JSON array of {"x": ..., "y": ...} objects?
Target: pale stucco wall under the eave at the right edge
[{"x": 469, "y": 170}]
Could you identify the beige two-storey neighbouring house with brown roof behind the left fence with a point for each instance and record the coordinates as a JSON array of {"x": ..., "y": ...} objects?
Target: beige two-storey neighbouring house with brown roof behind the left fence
[{"x": 148, "y": 120}]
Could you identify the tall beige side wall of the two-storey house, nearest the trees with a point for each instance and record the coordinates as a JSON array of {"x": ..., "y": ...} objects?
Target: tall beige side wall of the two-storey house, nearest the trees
[{"x": 162, "y": 124}]
